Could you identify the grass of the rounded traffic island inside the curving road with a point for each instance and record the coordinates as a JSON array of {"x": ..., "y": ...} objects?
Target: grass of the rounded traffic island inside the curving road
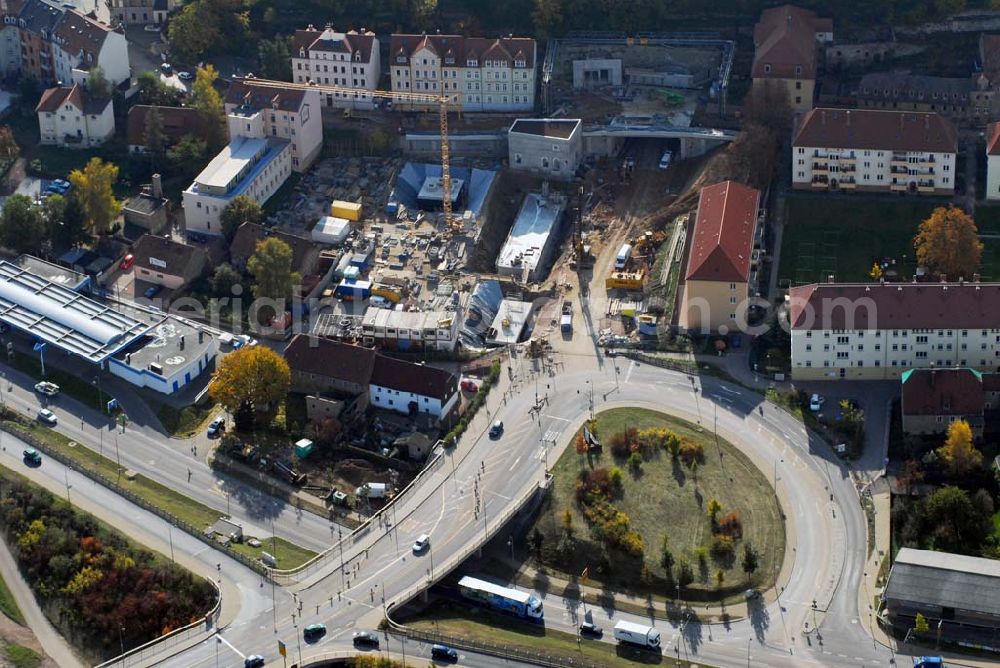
[{"x": 666, "y": 499}]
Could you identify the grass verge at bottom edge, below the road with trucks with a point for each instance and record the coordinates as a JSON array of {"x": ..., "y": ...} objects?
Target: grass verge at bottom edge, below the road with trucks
[{"x": 483, "y": 626}]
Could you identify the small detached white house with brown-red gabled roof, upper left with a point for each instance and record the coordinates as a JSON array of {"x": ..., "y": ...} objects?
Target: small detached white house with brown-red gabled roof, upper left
[{"x": 70, "y": 117}]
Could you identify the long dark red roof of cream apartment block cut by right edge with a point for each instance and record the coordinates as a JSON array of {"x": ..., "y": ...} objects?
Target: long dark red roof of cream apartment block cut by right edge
[{"x": 967, "y": 305}]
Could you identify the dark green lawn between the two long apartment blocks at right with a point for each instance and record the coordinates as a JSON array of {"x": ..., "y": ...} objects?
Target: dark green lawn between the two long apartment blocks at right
[{"x": 844, "y": 237}]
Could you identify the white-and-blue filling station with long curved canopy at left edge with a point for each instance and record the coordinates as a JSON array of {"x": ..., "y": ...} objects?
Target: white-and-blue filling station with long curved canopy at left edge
[{"x": 147, "y": 348}]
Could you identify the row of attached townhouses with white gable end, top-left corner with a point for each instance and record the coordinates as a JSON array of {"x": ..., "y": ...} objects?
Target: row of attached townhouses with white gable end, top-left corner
[{"x": 61, "y": 45}]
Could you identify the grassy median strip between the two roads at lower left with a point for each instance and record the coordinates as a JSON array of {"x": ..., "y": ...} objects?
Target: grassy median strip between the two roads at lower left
[{"x": 161, "y": 496}]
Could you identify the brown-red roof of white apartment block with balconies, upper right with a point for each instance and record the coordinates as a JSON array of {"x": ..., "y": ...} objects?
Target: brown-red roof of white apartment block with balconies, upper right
[{"x": 882, "y": 130}]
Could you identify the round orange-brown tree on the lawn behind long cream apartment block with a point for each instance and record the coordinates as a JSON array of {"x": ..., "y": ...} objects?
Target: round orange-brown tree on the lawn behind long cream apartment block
[{"x": 947, "y": 243}]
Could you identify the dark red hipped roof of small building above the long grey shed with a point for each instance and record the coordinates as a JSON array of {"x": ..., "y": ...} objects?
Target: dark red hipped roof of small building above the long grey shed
[{"x": 942, "y": 392}]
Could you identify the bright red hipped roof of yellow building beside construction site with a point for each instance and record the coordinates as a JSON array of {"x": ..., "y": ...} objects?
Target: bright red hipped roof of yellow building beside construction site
[{"x": 722, "y": 239}]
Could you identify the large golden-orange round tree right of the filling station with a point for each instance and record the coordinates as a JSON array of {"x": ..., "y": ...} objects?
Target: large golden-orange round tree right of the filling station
[{"x": 251, "y": 382}]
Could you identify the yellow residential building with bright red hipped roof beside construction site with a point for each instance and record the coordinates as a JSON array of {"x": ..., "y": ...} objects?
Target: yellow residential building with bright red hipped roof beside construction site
[{"x": 722, "y": 263}]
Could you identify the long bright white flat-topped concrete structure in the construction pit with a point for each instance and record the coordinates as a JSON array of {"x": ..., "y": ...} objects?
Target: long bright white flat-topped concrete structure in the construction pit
[{"x": 533, "y": 239}]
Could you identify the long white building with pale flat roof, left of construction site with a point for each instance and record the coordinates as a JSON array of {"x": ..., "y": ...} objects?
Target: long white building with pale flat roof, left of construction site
[{"x": 249, "y": 165}]
